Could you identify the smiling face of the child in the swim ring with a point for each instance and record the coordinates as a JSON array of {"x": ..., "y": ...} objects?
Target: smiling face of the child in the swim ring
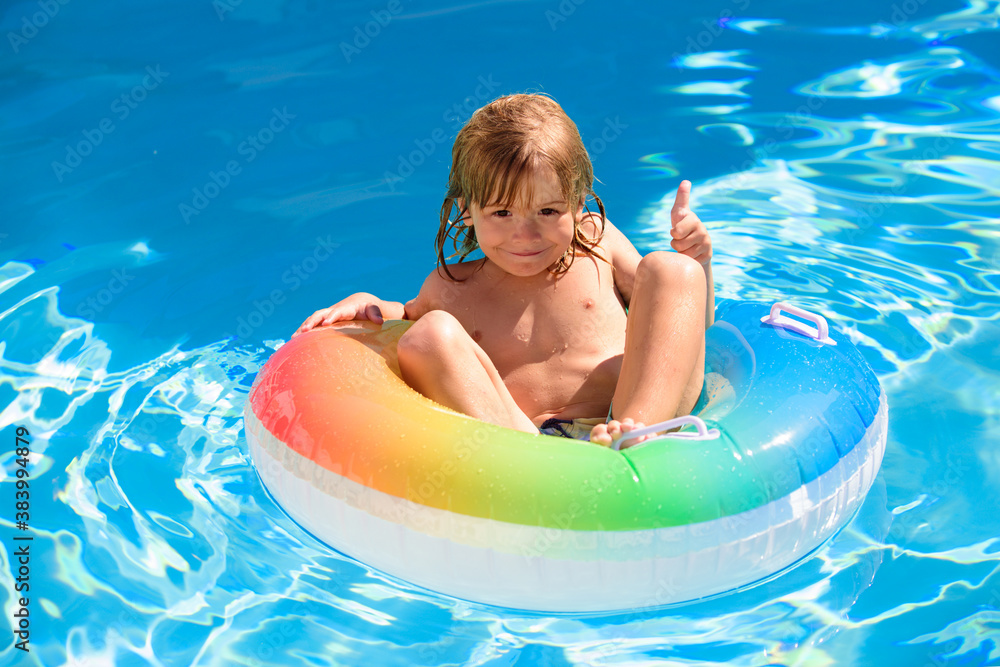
[{"x": 528, "y": 237}]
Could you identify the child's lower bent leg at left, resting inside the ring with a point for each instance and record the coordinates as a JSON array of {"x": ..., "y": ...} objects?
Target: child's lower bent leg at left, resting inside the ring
[{"x": 438, "y": 358}]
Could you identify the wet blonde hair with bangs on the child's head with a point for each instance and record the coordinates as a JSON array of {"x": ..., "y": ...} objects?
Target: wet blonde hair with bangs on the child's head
[{"x": 493, "y": 159}]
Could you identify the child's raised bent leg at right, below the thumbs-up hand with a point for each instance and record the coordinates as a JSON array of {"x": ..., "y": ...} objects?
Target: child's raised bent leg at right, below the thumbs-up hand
[{"x": 664, "y": 363}]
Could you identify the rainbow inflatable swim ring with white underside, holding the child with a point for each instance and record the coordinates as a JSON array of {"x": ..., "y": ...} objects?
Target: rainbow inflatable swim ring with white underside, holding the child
[{"x": 777, "y": 466}]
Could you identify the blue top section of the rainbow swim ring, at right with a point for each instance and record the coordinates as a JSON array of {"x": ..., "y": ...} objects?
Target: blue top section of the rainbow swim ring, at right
[{"x": 799, "y": 406}]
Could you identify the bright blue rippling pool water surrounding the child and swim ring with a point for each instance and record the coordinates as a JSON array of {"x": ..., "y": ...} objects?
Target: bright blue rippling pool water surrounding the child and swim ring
[{"x": 184, "y": 182}]
